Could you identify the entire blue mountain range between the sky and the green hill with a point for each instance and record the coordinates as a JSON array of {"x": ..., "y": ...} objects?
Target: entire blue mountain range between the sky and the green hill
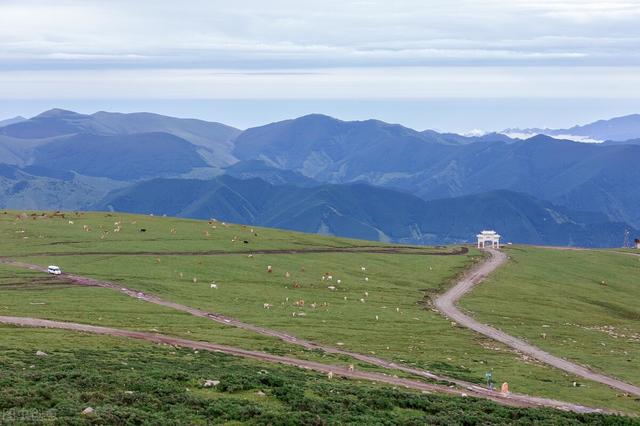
[{"x": 365, "y": 179}]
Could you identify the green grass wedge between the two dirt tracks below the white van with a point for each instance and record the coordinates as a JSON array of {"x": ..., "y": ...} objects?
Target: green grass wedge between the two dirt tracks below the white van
[{"x": 26, "y": 293}]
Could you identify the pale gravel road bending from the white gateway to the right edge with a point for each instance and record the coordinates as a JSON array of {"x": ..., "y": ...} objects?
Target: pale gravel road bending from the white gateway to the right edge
[{"x": 446, "y": 304}]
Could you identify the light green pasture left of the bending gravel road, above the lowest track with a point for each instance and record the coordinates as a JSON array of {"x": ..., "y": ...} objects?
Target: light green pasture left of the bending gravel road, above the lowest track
[{"x": 406, "y": 329}]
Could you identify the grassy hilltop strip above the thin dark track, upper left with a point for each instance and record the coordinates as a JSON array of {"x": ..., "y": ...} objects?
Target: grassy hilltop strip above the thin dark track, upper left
[{"x": 43, "y": 234}]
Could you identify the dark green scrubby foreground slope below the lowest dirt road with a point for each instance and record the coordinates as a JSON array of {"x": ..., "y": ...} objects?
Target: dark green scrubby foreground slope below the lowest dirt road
[{"x": 135, "y": 383}]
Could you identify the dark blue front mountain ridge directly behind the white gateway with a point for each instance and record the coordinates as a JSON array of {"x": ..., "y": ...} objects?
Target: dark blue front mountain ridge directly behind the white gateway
[{"x": 367, "y": 212}]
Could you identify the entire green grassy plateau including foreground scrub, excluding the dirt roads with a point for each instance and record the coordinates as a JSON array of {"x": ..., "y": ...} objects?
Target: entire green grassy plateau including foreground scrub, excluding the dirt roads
[{"x": 375, "y": 303}]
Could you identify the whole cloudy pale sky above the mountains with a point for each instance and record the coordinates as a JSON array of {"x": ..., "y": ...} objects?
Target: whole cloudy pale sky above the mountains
[{"x": 454, "y": 65}]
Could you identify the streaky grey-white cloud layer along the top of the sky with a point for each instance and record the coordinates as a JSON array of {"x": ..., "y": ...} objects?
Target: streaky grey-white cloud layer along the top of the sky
[{"x": 284, "y": 33}]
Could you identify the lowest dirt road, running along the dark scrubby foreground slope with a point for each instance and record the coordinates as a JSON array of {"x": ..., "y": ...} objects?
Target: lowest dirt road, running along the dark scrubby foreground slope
[{"x": 515, "y": 400}]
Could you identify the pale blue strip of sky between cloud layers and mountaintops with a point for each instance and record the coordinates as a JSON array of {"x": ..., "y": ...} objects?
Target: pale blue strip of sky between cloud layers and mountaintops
[{"x": 444, "y": 115}]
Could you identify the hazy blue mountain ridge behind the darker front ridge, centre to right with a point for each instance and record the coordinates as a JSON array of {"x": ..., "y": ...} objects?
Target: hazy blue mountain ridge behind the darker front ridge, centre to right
[{"x": 600, "y": 178}]
